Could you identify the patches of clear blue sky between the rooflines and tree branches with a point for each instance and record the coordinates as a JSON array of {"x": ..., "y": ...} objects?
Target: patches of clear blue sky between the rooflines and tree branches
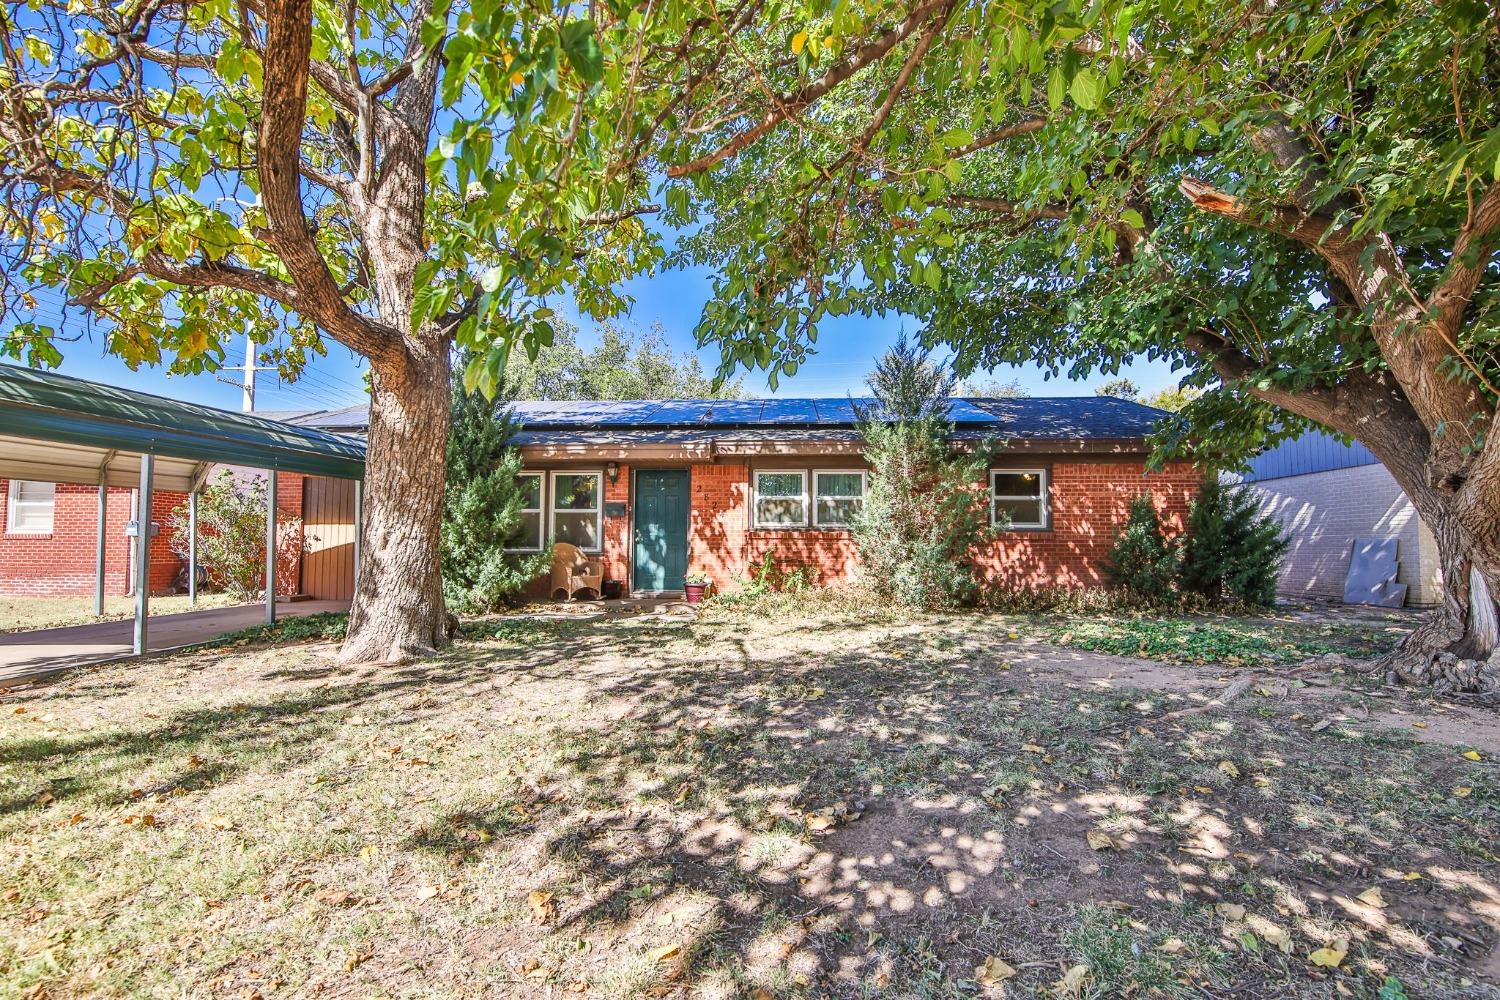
[{"x": 847, "y": 349}]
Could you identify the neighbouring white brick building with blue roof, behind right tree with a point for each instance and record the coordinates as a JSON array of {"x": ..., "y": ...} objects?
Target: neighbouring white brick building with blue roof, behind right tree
[{"x": 1327, "y": 494}]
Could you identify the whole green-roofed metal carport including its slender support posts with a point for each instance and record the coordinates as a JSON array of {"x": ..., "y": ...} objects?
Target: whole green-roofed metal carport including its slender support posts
[{"x": 62, "y": 430}]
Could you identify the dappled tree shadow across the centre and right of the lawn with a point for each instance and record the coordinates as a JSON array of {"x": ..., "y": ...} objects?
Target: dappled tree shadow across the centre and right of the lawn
[{"x": 830, "y": 807}]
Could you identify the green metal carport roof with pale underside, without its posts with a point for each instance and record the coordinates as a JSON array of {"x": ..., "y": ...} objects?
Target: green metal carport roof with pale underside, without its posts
[{"x": 55, "y": 428}]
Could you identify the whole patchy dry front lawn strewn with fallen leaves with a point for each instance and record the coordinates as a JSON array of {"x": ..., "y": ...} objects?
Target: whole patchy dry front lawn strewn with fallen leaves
[{"x": 742, "y": 806}]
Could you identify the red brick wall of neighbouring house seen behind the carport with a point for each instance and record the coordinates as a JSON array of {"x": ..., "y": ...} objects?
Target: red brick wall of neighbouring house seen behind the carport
[{"x": 62, "y": 563}]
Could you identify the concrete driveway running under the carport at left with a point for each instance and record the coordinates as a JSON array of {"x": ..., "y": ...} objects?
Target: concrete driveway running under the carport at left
[{"x": 34, "y": 654}]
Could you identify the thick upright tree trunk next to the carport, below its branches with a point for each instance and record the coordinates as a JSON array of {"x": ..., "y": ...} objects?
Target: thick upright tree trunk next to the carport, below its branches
[{"x": 398, "y": 603}]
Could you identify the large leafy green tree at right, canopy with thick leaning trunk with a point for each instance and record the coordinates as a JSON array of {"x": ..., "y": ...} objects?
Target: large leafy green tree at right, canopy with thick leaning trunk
[{"x": 1297, "y": 205}]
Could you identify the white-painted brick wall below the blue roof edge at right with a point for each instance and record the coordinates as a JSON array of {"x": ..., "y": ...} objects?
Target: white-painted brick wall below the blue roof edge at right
[{"x": 1325, "y": 512}]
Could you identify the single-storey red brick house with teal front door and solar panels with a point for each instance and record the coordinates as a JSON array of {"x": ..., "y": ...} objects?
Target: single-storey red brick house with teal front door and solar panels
[{"x": 664, "y": 488}]
